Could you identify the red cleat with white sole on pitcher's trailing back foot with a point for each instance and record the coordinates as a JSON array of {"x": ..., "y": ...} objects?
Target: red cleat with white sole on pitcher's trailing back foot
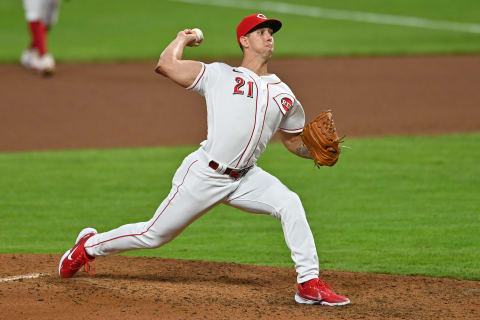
[{"x": 73, "y": 259}]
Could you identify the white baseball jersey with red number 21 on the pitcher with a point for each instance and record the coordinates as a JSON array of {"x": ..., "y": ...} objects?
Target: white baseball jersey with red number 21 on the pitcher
[{"x": 244, "y": 112}]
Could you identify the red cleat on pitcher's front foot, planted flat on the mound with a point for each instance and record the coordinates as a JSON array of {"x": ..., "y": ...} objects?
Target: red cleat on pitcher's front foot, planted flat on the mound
[{"x": 316, "y": 291}]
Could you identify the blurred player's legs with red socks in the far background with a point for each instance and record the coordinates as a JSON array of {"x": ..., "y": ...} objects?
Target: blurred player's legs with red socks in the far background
[{"x": 41, "y": 16}]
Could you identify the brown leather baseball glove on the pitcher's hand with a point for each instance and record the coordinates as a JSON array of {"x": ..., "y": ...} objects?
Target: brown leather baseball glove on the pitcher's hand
[{"x": 321, "y": 138}]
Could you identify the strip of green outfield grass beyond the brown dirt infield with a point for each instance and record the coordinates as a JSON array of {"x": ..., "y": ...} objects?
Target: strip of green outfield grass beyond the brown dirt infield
[{"x": 123, "y": 29}]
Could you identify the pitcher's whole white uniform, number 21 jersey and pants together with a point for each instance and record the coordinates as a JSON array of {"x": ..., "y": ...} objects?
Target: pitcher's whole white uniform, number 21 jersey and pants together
[{"x": 244, "y": 111}]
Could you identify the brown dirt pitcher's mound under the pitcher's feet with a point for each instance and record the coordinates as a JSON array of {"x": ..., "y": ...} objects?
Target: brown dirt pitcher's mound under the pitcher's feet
[{"x": 155, "y": 288}]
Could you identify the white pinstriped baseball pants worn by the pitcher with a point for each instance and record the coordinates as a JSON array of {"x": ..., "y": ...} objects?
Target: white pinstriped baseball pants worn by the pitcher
[{"x": 195, "y": 189}]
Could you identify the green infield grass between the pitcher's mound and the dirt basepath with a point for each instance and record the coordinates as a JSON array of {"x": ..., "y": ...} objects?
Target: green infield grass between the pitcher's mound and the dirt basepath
[{"x": 402, "y": 205}]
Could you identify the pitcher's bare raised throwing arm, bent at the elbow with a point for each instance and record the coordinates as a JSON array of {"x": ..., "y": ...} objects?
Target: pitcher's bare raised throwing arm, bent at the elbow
[{"x": 171, "y": 65}]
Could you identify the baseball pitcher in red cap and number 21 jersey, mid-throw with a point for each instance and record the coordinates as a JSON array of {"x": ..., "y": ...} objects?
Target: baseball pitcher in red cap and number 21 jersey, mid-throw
[{"x": 246, "y": 106}]
